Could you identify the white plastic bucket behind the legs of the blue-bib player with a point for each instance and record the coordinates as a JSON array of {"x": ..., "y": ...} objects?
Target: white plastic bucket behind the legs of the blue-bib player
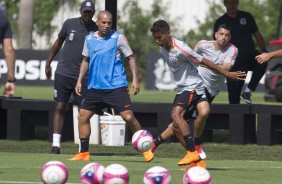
[{"x": 112, "y": 130}]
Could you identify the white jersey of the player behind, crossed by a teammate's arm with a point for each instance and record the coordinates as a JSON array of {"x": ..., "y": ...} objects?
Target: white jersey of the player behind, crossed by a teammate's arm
[{"x": 212, "y": 79}]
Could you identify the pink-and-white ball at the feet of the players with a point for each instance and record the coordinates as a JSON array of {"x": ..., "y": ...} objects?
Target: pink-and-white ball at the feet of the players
[{"x": 142, "y": 140}]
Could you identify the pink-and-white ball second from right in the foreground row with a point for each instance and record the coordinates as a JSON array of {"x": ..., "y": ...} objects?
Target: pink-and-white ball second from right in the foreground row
[{"x": 157, "y": 175}]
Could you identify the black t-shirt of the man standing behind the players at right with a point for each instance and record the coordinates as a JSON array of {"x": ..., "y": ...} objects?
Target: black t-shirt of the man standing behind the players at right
[{"x": 243, "y": 26}]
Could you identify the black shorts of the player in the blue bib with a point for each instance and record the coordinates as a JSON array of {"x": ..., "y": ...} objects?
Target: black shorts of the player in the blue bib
[{"x": 97, "y": 100}]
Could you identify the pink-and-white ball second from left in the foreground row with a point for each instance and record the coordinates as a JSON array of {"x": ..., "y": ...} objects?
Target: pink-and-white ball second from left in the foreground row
[{"x": 92, "y": 173}]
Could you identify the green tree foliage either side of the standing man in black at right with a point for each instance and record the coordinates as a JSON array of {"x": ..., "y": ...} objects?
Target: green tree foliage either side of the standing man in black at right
[{"x": 265, "y": 12}]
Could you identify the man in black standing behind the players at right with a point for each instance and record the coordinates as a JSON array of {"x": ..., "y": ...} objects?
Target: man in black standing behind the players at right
[{"x": 243, "y": 28}]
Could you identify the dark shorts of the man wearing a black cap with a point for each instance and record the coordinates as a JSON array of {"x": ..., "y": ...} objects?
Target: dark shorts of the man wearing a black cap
[{"x": 64, "y": 87}]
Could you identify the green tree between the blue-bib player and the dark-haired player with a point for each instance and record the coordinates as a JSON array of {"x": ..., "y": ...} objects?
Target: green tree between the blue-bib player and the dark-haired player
[{"x": 135, "y": 26}]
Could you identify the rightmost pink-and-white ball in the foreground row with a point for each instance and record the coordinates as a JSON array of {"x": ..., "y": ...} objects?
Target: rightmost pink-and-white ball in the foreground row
[{"x": 197, "y": 175}]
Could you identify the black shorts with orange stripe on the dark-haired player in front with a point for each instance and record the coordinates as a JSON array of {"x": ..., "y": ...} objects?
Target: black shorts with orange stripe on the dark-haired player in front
[{"x": 188, "y": 100}]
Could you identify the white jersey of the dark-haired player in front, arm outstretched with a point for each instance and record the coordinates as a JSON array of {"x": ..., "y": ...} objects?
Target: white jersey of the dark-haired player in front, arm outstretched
[{"x": 183, "y": 62}]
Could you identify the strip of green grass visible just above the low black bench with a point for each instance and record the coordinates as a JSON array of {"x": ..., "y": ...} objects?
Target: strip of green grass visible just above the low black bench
[{"x": 46, "y": 93}]
